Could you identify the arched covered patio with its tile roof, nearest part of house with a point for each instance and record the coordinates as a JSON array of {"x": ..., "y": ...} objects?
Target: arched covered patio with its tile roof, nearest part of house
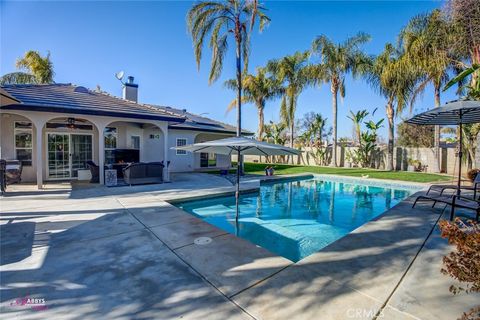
[{"x": 54, "y": 138}]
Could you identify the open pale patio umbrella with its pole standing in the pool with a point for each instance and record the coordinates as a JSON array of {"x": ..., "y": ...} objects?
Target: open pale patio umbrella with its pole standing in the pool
[{"x": 239, "y": 146}]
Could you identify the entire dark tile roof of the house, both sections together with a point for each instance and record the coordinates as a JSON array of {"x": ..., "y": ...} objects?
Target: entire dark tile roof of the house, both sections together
[{"x": 69, "y": 98}]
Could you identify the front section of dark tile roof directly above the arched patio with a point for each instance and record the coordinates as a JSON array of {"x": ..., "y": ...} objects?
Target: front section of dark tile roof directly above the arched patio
[{"x": 68, "y": 98}]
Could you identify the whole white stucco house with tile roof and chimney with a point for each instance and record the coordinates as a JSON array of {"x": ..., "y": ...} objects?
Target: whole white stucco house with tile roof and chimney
[{"x": 54, "y": 129}]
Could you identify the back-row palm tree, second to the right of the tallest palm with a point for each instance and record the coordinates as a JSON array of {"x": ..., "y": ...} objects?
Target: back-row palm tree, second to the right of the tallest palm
[{"x": 291, "y": 70}]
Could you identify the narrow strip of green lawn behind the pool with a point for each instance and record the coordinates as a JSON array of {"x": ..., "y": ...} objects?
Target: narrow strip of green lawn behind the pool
[{"x": 258, "y": 168}]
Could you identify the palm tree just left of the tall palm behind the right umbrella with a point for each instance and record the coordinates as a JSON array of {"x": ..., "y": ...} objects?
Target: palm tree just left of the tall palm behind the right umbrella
[{"x": 390, "y": 76}]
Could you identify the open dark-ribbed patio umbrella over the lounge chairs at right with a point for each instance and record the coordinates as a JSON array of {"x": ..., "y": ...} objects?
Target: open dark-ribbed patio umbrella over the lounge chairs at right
[{"x": 457, "y": 112}]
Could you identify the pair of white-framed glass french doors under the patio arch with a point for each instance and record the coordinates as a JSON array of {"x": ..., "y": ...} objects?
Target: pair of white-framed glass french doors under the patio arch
[{"x": 67, "y": 153}]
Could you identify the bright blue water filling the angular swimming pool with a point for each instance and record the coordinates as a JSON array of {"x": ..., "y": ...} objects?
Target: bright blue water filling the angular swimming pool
[{"x": 297, "y": 218}]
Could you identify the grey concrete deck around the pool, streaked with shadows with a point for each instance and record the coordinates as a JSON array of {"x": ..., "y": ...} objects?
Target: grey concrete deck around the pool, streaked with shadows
[{"x": 122, "y": 253}]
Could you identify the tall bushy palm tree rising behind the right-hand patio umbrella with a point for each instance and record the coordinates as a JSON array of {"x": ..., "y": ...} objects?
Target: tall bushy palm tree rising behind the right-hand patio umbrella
[{"x": 426, "y": 42}]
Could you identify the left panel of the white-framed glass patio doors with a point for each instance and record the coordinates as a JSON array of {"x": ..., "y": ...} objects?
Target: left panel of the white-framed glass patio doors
[{"x": 58, "y": 155}]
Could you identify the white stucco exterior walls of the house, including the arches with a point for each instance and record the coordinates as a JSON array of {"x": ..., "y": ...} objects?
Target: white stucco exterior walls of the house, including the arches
[{"x": 150, "y": 149}]
